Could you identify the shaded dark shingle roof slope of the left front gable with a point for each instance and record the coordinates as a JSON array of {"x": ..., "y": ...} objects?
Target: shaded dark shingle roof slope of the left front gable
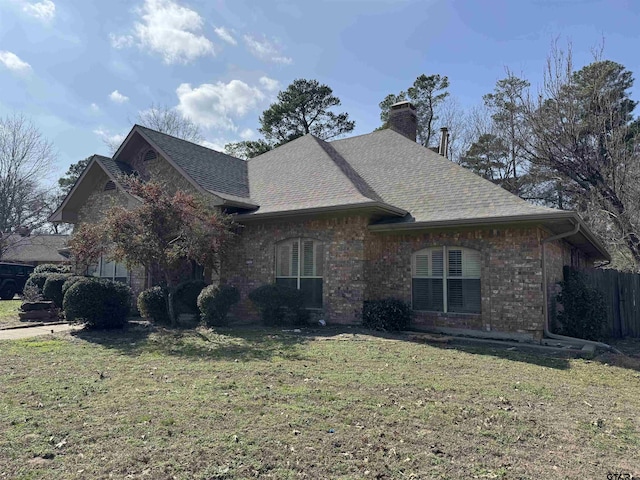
[{"x": 214, "y": 171}]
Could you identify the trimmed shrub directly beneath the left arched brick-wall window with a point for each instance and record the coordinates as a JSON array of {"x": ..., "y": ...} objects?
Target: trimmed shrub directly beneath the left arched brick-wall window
[{"x": 279, "y": 305}]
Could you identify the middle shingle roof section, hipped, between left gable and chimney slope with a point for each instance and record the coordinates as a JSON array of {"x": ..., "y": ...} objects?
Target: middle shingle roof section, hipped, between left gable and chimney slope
[{"x": 307, "y": 174}]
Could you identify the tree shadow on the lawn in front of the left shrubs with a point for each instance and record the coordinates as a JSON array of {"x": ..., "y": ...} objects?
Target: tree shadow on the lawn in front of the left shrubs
[{"x": 246, "y": 343}]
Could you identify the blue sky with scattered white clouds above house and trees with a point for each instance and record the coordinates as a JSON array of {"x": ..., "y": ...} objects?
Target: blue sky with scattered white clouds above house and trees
[{"x": 82, "y": 70}]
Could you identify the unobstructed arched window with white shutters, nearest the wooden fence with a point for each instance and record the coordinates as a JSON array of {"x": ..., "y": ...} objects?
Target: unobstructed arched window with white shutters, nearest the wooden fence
[{"x": 446, "y": 279}]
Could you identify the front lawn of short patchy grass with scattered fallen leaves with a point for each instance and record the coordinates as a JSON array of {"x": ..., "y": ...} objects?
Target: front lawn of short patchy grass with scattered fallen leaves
[{"x": 269, "y": 404}]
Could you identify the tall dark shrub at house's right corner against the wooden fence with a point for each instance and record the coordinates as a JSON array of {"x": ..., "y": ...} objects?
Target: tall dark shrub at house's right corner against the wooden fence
[{"x": 583, "y": 312}]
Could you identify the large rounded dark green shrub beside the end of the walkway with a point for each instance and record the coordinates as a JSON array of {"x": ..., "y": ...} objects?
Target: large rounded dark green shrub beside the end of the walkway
[{"x": 101, "y": 304}]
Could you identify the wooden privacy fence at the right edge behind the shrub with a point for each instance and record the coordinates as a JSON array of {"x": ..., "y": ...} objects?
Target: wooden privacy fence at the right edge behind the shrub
[{"x": 622, "y": 297}]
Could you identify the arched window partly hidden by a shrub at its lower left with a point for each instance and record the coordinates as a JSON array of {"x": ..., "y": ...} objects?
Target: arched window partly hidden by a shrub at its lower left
[{"x": 299, "y": 264}]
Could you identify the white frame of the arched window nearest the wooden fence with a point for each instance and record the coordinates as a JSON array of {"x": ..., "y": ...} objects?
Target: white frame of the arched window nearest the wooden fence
[{"x": 465, "y": 252}]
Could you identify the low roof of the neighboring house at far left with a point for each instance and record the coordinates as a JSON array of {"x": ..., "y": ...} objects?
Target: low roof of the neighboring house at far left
[{"x": 35, "y": 248}]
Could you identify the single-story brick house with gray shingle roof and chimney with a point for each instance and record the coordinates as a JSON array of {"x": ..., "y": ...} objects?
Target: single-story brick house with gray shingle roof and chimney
[{"x": 361, "y": 218}]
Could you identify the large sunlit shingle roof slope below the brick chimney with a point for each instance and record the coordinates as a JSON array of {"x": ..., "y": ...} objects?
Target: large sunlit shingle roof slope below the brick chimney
[{"x": 424, "y": 183}]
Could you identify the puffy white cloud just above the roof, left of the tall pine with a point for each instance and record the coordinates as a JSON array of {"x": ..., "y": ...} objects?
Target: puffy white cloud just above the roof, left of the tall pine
[{"x": 217, "y": 105}]
